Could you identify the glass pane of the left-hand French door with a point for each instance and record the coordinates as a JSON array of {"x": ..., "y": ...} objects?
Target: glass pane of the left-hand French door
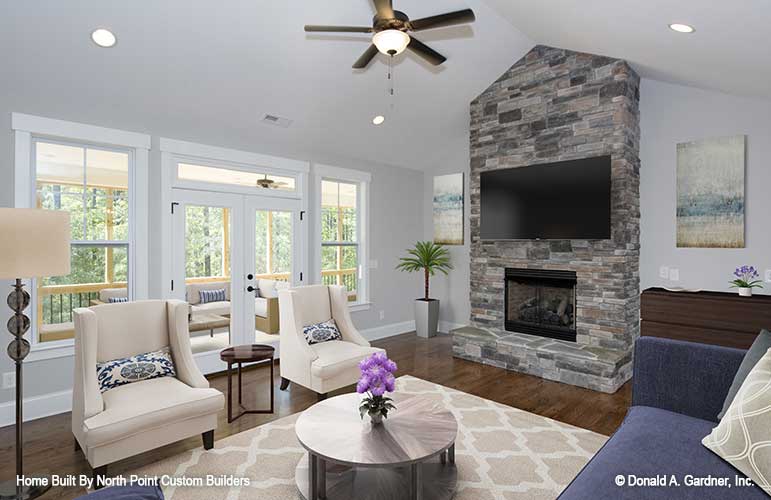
[{"x": 207, "y": 276}]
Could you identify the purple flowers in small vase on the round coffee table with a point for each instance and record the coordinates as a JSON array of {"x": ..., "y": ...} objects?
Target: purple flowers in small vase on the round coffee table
[{"x": 377, "y": 378}]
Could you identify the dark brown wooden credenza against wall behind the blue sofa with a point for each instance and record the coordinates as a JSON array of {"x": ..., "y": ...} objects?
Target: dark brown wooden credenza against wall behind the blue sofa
[{"x": 708, "y": 317}]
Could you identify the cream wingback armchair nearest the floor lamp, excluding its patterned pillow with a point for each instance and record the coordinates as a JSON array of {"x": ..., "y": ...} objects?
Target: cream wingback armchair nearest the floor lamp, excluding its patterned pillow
[{"x": 137, "y": 417}]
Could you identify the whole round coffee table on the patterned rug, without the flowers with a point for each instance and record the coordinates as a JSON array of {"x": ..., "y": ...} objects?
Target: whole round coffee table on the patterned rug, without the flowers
[{"x": 413, "y": 451}]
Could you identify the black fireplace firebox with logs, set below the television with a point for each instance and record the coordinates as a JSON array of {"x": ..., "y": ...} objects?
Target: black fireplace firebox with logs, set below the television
[{"x": 541, "y": 302}]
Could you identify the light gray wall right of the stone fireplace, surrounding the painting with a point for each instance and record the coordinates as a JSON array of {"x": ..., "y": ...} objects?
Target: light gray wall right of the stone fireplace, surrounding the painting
[{"x": 672, "y": 114}]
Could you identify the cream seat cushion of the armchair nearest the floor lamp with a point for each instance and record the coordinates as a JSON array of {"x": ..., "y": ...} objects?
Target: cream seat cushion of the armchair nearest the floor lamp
[{"x": 135, "y": 408}]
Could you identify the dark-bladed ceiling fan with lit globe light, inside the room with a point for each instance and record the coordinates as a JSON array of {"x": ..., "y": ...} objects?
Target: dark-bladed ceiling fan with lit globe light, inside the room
[{"x": 390, "y": 32}]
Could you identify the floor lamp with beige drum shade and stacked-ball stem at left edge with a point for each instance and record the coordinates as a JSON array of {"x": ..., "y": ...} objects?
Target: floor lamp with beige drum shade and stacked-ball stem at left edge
[{"x": 33, "y": 244}]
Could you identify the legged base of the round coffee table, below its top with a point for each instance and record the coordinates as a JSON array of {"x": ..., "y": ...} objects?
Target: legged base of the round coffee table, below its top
[{"x": 435, "y": 479}]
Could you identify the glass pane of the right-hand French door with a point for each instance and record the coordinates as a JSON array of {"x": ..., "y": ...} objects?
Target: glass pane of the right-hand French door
[{"x": 273, "y": 264}]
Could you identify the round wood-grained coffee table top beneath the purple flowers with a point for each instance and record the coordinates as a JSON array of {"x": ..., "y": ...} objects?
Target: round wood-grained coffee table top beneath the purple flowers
[{"x": 418, "y": 429}]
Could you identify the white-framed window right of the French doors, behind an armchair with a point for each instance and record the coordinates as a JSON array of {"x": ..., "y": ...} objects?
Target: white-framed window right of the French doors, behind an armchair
[{"x": 342, "y": 253}]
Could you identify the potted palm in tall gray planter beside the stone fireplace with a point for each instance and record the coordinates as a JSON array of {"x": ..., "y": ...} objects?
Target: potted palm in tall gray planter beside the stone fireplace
[{"x": 429, "y": 258}]
